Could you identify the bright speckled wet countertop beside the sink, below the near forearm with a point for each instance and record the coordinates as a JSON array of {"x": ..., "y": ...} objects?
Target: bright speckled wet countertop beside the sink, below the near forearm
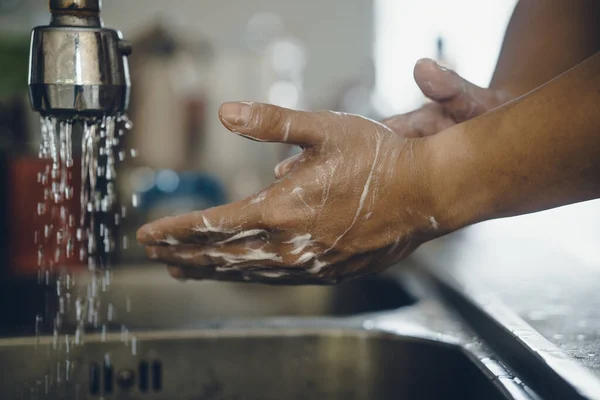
[{"x": 553, "y": 291}]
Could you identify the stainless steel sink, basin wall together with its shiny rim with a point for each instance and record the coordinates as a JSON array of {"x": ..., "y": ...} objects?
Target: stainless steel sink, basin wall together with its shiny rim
[{"x": 419, "y": 351}]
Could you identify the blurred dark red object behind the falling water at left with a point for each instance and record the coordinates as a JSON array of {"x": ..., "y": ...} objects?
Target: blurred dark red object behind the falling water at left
[{"x": 24, "y": 193}]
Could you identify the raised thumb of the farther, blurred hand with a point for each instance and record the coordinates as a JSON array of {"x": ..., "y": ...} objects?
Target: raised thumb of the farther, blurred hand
[{"x": 459, "y": 97}]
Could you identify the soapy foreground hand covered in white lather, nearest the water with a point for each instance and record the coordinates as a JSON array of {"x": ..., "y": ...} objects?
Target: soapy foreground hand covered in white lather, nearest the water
[{"x": 356, "y": 200}]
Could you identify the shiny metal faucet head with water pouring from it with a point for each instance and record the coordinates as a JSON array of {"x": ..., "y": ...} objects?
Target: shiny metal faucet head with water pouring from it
[{"x": 78, "y": 68}]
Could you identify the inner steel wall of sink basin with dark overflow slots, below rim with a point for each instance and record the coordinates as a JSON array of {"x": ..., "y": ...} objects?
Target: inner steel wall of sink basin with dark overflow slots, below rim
[{"x": 259, "y": 364}]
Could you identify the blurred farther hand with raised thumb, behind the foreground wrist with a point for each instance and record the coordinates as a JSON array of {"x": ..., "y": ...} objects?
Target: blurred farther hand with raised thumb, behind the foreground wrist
[{"x": 455, "y": 100}]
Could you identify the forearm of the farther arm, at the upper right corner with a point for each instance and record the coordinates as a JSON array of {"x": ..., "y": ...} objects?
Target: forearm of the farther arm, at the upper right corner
[{"x": 543, "y": 40}]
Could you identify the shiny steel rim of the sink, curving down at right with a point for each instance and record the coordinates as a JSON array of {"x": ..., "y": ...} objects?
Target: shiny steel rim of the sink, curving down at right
[{"x": 394, "y": 325}]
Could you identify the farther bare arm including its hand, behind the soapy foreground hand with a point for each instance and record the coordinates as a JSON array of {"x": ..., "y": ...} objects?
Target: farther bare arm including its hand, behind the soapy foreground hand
[{"x": 543, "y": 40}]
